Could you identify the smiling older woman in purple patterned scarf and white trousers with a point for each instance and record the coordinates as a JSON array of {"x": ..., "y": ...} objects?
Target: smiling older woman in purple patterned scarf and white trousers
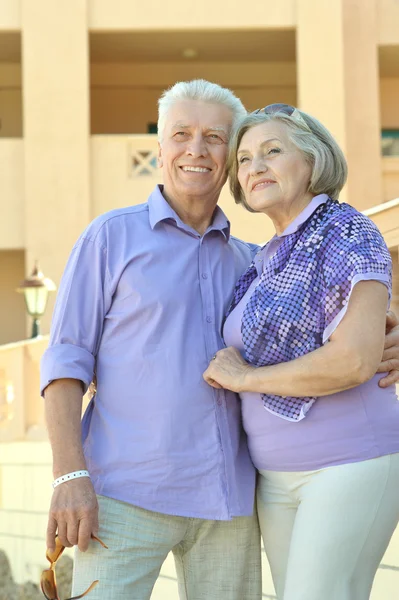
[{"x": 305, "y": 333}]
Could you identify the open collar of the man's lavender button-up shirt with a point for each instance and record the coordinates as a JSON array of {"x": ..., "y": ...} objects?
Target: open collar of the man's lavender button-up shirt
[{"x": 160, "y": 210}]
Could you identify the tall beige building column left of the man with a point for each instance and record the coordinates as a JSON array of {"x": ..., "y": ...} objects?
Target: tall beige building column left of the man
[{"x": 55, "y": 62}]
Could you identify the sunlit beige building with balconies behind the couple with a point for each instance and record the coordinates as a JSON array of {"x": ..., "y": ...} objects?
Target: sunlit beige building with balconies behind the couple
[{"x": 79, "y": 83}]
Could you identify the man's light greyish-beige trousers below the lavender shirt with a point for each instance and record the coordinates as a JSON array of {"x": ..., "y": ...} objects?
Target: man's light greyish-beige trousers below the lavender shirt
[{"x": 215, "y": 560}]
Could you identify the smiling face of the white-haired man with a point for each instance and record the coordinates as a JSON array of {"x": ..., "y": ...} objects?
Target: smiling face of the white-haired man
[{"x": 193, "y": 150}]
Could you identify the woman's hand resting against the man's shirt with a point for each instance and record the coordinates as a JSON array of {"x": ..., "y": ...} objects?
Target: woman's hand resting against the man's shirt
[{"x": 228, "y": 370}]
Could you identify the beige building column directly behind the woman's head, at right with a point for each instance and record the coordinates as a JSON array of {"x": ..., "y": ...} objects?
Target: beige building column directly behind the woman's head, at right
[{"x": 338, "y": 82}]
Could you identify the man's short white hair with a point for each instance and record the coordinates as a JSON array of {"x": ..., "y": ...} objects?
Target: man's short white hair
[{"x": 202, "y": 90}]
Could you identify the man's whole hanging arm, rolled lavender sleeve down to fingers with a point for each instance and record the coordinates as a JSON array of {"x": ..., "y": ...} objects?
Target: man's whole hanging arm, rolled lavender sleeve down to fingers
[{"x": 67, "y": 368}]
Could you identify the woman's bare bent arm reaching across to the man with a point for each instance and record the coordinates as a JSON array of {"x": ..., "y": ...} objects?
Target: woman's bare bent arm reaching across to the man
[{"x": 350, "y": 358}]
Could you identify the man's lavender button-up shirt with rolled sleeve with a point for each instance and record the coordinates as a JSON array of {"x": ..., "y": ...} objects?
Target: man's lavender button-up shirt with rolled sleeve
[{"x": 141, "y": 302}]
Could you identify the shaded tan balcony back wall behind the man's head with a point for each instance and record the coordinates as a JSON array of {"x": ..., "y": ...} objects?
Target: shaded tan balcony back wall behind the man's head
[{"x": 124, "y": 96}]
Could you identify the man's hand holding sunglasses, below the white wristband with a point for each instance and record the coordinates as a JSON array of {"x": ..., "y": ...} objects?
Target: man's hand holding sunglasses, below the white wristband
[{"x": 73, "y": 514}]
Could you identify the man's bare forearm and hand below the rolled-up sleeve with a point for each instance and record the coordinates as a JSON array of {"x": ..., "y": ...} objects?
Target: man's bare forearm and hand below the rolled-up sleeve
[{"x": 74, "y": 508}]
